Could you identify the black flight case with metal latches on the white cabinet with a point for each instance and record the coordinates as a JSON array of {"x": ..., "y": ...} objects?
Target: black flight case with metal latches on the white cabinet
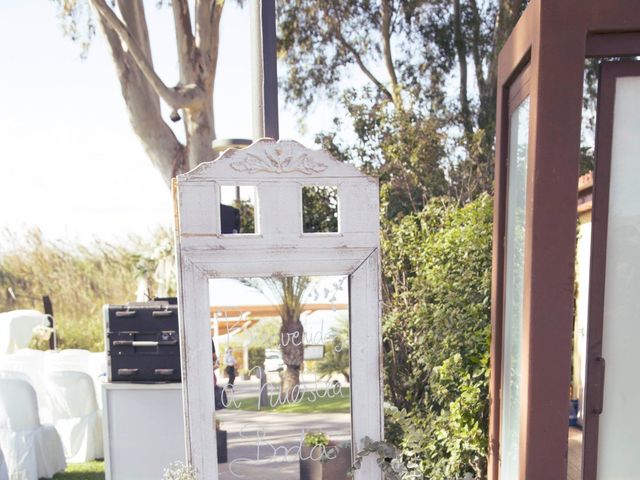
[{"x": 142, "y": 342}]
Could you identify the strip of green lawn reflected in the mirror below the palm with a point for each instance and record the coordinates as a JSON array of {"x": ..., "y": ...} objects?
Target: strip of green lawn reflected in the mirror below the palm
[{"x": 338, "y": 402}]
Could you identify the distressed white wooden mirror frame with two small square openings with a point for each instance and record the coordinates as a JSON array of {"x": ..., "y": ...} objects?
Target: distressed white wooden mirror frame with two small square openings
[{"x": 278, "y": 170}]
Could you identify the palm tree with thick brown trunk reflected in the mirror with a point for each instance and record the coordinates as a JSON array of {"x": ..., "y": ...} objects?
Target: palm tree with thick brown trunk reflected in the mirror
[{"x": 287, "y": 294}]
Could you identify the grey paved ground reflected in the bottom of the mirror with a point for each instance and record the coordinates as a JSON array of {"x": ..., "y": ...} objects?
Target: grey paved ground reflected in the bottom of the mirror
[{"x": 265, "y": 445}]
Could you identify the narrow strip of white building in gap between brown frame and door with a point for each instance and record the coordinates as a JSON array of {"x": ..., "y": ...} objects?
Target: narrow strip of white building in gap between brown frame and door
[{"x": 583, "y": 252}]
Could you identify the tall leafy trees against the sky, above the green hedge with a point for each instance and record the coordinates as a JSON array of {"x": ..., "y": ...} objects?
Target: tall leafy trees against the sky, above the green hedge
[{"x": 428, "y": 66}]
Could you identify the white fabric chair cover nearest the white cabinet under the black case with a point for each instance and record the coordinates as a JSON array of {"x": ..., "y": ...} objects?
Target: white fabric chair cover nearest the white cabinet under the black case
[{"x": 75, "y": 414}]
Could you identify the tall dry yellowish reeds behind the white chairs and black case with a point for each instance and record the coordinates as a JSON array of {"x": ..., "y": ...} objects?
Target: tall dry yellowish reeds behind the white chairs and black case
[{"x": 79, "y": 279}]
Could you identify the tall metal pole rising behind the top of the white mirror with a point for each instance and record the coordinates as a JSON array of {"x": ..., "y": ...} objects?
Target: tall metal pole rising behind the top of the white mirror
[{"x": 264, "y": 69}]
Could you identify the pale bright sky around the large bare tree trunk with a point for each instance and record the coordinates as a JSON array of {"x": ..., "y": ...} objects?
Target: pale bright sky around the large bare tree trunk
[{"x": 69, "y": 161}]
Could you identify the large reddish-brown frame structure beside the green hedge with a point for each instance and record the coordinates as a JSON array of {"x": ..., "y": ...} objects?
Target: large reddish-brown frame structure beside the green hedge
[{"x": 553, "y": 38}]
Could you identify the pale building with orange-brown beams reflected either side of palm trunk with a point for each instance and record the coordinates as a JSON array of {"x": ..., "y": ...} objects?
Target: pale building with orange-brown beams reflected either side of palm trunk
[{"x": 237, "y": 308}]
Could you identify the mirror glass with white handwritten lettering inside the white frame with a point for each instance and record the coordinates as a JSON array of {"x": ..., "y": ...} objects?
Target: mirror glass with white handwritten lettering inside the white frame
[{"x": 282, "y": 377}]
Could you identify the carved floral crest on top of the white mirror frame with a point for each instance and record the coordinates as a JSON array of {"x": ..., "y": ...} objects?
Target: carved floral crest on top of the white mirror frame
[{"x": 278, "y": 161}]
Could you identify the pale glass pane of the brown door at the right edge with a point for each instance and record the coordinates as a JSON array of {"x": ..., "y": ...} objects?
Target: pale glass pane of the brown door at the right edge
[{"x": 619, "y": 423}]
